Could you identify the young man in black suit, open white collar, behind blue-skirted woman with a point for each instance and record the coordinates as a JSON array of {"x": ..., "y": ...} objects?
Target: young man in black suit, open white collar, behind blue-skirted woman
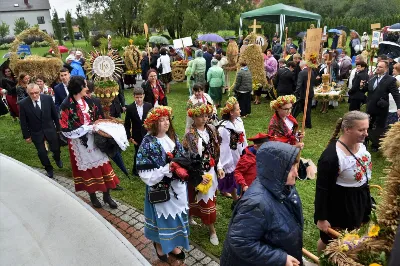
[{"x": 136, "y": 113}]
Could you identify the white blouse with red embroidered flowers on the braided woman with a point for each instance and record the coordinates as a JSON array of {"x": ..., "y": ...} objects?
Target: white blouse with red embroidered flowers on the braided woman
[{"x": 351, "y": 174}]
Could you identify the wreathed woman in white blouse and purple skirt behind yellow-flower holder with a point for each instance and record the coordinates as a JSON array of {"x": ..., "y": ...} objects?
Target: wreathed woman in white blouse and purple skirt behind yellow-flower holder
[{"x": 231, "y": 130}]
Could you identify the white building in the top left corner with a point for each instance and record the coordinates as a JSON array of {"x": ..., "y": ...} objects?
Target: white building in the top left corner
[{"x": 32, "y": 11}]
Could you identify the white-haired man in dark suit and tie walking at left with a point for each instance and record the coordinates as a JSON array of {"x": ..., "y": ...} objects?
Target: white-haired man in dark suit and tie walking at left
[{"x": 40, "y": 122}]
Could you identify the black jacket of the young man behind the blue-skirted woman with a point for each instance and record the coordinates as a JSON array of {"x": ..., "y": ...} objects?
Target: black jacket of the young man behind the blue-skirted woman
[{"x": 132, "y": 121}]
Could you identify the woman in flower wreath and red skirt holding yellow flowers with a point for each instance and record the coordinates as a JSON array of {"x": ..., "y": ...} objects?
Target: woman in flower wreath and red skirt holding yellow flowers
[{"x": 204, "y": 139}]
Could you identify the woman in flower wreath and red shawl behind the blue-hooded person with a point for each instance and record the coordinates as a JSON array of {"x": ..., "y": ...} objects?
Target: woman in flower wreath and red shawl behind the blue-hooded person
[{"x": 283, "y": 127}]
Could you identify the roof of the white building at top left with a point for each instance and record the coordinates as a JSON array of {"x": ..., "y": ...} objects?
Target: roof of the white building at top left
[{"x": 10, "y": 5}]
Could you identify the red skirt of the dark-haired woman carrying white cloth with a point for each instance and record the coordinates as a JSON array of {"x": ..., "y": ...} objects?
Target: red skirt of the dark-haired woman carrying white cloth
[{"x": 100, "y": 178}]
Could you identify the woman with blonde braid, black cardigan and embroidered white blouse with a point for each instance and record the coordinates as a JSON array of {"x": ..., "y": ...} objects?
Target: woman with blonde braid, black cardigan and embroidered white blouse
[{"x": 342, "y": 196}]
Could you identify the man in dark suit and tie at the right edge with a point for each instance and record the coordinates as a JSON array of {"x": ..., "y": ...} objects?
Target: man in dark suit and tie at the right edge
[{"x": 378, "y": 89}]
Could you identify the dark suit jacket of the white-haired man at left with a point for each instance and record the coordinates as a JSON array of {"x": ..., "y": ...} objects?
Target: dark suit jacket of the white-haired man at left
[{"x": 35, "y": 126}]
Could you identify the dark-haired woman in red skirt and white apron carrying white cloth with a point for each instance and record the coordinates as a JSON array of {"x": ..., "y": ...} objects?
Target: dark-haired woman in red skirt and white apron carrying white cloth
[{"x": 91, "y": 168}]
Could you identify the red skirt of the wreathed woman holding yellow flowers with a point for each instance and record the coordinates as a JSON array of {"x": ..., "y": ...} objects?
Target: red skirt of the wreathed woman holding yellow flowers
[{"x": 207, "y": 212}]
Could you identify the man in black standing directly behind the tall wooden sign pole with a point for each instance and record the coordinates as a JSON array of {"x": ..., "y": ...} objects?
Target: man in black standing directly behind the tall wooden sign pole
[{"x": 300, "y": 93}]
